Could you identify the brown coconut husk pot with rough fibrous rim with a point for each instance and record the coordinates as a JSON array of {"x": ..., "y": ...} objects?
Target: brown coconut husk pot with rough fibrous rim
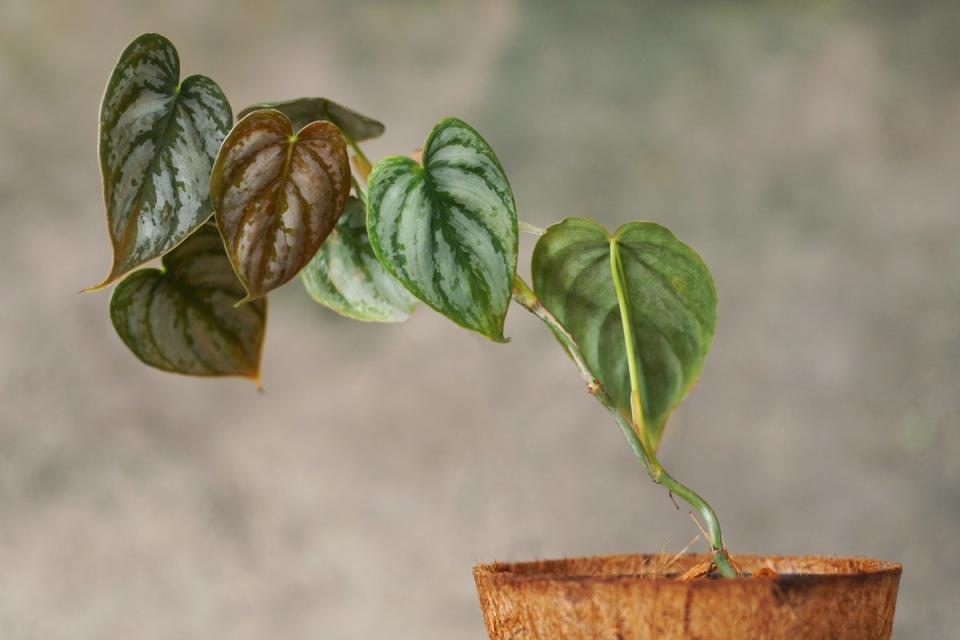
[{"x": 634, "y": 597}]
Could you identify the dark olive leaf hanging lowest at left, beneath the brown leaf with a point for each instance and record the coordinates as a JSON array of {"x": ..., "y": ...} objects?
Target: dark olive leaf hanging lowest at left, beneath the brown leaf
[{"x": 183, "y": 318}]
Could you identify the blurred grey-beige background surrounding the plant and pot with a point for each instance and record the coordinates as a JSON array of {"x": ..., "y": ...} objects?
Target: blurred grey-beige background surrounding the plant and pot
[{"x": 810, "y": 152}]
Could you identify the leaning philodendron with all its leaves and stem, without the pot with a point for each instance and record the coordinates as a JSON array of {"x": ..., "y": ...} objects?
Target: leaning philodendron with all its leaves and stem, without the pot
[{"x": 236, "y": 209}]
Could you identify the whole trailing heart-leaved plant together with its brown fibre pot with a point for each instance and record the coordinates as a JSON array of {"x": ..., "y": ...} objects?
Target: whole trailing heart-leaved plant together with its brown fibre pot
[{"x": 237, "y": 209}]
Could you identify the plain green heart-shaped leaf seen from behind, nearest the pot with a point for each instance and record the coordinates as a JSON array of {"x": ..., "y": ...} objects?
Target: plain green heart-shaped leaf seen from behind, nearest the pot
[{"x": 672, "y": 307}]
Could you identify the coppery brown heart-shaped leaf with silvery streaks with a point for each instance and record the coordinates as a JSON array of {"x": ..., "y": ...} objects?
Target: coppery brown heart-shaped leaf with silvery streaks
[{"x": 277, "y": 195}]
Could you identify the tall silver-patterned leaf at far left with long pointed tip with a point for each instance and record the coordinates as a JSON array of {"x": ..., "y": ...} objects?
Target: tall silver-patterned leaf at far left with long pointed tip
[{"x": 158, "y": 141}]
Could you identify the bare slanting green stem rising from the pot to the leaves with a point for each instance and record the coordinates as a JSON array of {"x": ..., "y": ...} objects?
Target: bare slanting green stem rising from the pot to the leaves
[{"x": 525, "y": 297}]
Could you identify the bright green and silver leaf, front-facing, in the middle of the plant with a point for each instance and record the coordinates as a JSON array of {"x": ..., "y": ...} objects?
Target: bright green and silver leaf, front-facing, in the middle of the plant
[{"x": 448, "y": 229}]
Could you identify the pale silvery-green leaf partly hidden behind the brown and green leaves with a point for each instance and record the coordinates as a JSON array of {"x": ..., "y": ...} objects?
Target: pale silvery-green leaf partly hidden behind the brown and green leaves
[{"x": 346, "y": 276}]
